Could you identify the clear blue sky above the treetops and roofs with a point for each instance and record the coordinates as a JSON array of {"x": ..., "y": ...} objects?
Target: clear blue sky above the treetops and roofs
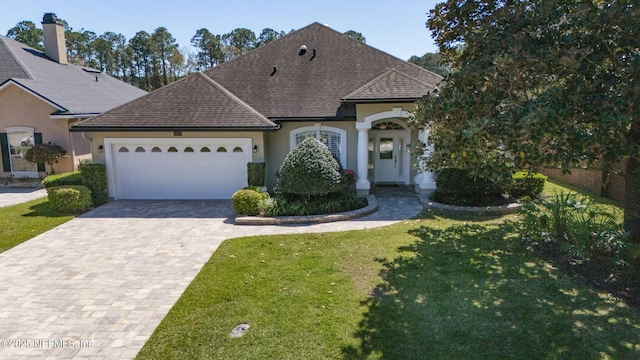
[{"x": 396, "y": 27}]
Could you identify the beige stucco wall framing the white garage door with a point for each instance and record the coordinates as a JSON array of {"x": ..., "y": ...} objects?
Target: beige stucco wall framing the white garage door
[{"x": 257, "y": 138}]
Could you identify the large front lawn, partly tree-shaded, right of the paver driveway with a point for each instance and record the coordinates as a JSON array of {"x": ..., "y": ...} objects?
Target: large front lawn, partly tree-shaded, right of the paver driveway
[{"x": 430, "y": 288}]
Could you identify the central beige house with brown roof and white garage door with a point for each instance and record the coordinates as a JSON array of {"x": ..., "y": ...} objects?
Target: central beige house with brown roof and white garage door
[{"x": 193, "y": 138}]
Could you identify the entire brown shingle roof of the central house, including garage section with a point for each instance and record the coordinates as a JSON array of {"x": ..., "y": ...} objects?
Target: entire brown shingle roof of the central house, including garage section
[{"x": 274, "y": 82}]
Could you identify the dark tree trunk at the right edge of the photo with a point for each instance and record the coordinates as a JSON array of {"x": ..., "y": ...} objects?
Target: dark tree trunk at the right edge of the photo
[{"x": 632, "y": 199}]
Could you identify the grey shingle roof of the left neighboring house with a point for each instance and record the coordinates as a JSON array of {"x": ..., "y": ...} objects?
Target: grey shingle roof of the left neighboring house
[{"x": 72, "y": 88}]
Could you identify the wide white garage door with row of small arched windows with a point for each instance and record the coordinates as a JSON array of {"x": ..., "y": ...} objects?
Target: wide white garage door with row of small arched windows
[{"x": 177, "y": 168}]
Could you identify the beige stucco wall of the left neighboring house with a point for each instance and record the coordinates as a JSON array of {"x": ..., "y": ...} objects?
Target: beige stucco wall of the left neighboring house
[{"x": 18, "y": 107}]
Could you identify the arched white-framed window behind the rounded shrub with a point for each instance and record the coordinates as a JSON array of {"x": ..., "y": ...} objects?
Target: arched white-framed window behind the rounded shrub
[{"x": 334, "y": 138}]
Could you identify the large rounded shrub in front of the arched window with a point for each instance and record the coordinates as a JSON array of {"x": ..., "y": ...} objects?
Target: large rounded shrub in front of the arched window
[{"x": 310, "y": 169}]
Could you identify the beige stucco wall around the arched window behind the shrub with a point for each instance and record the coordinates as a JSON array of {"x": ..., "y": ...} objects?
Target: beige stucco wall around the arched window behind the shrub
[{"x": 278, "y": 144}]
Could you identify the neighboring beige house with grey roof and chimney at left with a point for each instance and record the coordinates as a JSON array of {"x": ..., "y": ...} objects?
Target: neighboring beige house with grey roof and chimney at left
[{"x": 41, "y": 95}]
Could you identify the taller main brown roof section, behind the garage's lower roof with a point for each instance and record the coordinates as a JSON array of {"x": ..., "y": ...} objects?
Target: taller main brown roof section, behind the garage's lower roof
[{"x": 312, "y": 86}]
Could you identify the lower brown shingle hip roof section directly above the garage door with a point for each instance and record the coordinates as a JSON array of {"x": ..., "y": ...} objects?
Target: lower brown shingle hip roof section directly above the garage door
[{"x": 195, "y": 102}]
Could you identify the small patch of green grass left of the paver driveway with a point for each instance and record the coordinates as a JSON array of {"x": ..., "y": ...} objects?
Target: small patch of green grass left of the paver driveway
[{"x": 19, "y": 223}]
